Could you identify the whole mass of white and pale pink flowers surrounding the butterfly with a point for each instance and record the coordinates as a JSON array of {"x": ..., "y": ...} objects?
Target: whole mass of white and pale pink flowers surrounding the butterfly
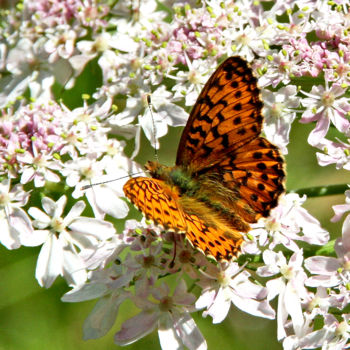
[{"x": 59, "y": 134}]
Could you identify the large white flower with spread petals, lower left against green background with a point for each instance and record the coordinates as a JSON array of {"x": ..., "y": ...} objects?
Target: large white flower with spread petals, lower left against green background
[{"x": 62, "y": 239}]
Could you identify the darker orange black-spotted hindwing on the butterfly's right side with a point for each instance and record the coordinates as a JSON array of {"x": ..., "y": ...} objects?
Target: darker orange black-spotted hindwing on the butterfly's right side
[{"x": 256, "y": 172}]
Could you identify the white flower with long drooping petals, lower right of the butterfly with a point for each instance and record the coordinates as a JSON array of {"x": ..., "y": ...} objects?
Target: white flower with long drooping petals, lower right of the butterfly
[{"x": 289, "y": 288}]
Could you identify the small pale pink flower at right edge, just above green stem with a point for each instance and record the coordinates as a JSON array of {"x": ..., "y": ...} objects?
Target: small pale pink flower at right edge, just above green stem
[{"x": 334, "y": 153}]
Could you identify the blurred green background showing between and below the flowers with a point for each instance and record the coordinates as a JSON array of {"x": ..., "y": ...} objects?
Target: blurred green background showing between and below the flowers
[{"x": 34, "y": 318}]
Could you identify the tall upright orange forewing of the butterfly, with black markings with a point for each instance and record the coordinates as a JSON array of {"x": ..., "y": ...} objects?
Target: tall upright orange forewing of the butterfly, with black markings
[{"x": 226, "y": 116}]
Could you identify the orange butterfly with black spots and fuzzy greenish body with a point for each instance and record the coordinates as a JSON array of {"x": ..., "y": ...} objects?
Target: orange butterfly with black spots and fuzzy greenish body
[{"x": 226, "y": 175}]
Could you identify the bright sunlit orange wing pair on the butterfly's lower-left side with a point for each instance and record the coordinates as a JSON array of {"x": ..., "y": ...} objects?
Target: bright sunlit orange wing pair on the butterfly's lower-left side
[{"x": 160, "y": 203}]
